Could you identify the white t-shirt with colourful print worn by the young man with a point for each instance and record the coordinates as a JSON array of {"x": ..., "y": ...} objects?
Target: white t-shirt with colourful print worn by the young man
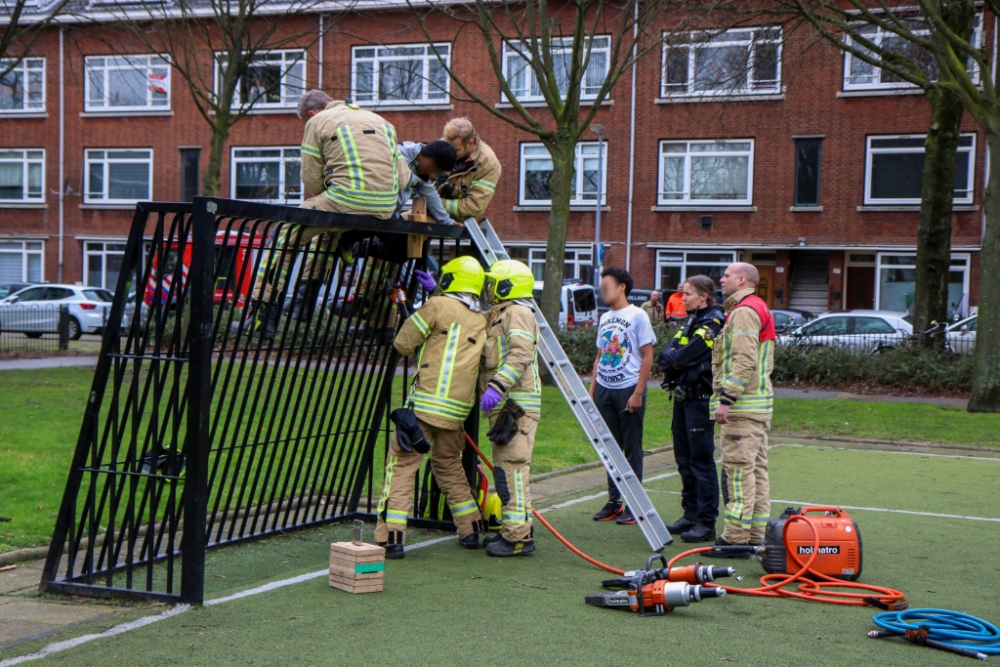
[{"x": 620, "y": 334}]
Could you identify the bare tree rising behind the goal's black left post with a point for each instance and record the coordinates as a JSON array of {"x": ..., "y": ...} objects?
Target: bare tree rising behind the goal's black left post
[{"x": 219, "y": 49}]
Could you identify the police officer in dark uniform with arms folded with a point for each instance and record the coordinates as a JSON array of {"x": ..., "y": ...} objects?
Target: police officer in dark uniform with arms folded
[{"x": 686, "y": 363}]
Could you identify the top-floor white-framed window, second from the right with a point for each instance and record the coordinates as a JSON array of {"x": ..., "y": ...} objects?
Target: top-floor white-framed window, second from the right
[{"x": 745, "y": 61}]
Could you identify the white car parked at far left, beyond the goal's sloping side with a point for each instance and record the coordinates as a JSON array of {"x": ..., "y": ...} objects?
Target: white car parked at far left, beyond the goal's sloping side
[{"x": 35, "y": 310}]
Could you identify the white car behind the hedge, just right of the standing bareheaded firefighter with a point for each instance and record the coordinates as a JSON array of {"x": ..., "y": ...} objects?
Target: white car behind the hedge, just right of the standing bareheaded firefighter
[{"x": 864, "y": 330}]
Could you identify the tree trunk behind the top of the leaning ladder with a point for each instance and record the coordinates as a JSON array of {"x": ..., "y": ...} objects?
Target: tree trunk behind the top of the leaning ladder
[{"x": 555, "y": 248}]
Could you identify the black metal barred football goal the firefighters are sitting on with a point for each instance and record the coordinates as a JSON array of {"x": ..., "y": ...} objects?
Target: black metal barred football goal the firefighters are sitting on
[{"x": 198, "y": 433}]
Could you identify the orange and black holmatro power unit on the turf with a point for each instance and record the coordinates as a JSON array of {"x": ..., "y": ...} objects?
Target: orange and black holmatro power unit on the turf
[{"x": 839, "y": 543}]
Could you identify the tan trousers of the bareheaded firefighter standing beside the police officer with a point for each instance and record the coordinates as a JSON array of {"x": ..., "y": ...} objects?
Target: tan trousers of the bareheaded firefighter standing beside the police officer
[{"x": 744, "y": 459}]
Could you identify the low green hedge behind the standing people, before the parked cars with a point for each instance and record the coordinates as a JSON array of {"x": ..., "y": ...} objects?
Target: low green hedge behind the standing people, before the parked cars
[{"x": 910, "y": 368}]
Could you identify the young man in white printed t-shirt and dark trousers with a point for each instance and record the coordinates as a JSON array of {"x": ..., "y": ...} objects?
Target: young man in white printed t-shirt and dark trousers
[{"x": 625, "y": 341}]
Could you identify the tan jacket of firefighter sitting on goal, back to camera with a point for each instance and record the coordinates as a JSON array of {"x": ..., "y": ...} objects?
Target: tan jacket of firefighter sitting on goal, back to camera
[{"x": 351, "y": 156}]
